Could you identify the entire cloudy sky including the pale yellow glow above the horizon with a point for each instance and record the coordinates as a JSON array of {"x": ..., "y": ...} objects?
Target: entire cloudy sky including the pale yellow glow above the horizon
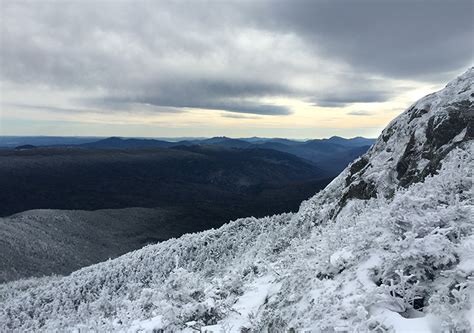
[{"x": 296, "y": 69}]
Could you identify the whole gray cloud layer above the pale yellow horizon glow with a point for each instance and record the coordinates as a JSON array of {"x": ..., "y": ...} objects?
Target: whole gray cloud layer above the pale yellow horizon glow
[{"x": 231, "y": 56}]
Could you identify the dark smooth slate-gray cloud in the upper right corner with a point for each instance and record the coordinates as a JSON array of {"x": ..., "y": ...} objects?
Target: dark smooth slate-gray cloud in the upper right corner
[{"x": 406, "y": 39}]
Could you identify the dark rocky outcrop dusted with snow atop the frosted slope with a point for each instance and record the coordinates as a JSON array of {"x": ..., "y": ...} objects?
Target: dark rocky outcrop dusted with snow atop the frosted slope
[{"x": 411, "y": 147}]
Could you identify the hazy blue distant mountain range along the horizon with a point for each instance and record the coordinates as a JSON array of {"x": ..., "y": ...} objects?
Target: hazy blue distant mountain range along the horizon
[{"x": 331, "y": 155}]
